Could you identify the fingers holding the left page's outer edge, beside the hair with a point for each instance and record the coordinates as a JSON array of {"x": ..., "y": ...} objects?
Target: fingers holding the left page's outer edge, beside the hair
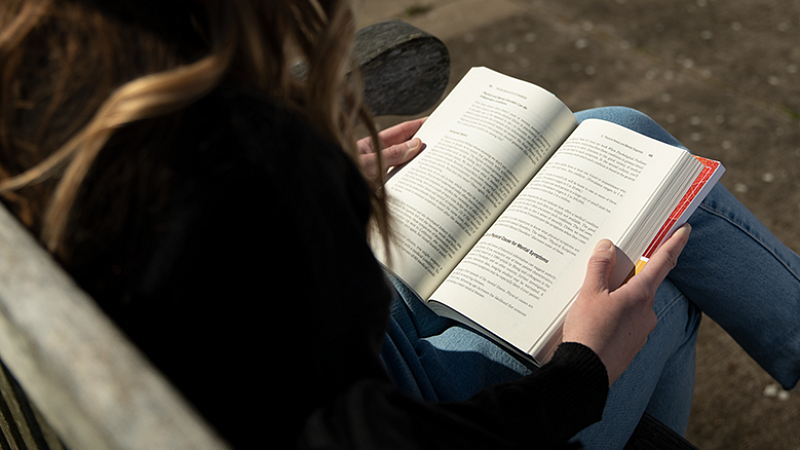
[{"x": 399, "y": 147}]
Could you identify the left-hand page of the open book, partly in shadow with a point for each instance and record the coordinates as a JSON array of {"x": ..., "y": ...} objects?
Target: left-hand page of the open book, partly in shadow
[{"x": 483, "y": 144}]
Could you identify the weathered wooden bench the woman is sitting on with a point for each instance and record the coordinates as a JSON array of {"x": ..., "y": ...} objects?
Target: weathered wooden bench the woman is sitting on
[{"x": 70, "y": 379}]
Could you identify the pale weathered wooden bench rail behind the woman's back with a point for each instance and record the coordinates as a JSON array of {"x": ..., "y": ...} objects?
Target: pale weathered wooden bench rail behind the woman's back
[{"x": 89, "y": 382}]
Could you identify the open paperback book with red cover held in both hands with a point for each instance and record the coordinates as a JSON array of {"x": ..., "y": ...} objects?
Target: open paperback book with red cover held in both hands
[{"x": 496, "y": 219}]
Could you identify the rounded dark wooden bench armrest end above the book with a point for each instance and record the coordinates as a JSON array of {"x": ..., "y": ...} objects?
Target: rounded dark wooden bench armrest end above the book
[{"x": 405, "y": 70}]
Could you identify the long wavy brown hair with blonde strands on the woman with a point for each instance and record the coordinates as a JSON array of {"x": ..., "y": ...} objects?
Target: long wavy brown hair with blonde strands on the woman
[{"x": 73, "y": 72}]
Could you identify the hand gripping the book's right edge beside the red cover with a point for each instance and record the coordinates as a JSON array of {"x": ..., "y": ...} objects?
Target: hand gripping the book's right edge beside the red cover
[{"x": 615, "y": 325}]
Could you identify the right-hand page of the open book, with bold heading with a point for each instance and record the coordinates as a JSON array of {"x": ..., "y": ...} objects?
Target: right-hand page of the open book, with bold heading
[{"x": 521, "y": 276}]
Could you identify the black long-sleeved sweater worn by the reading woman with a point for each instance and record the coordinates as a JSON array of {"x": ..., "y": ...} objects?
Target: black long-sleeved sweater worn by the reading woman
[{"x": 244, "y": 274}]
